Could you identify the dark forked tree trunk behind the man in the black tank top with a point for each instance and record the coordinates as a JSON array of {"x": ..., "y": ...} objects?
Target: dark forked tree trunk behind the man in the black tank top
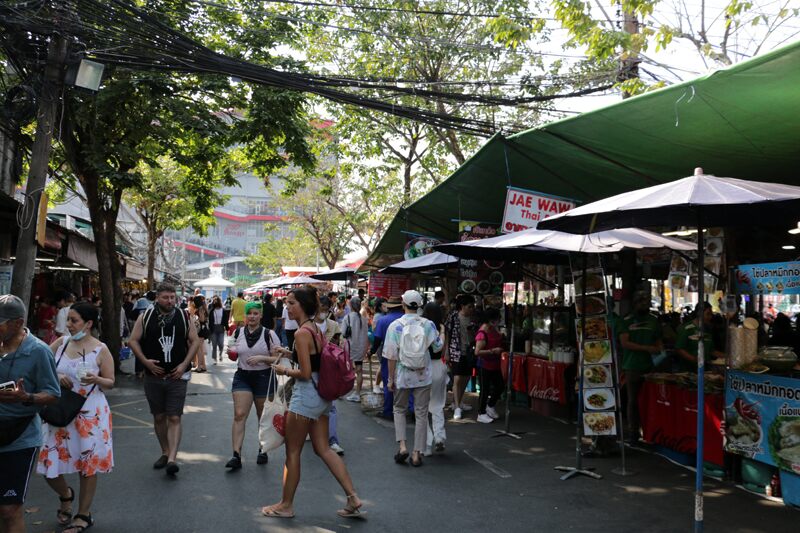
[{"x": 104, "y": 223}]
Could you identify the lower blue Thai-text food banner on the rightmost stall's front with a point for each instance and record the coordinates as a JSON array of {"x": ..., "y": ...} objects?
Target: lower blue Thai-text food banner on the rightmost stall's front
[{"x": 762, "y": 418}]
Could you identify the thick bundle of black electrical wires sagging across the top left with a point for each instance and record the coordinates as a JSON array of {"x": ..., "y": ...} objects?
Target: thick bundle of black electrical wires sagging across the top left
[{"x": 116, "y": 32}]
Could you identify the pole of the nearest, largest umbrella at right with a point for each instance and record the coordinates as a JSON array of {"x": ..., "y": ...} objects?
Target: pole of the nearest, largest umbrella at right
[{"x": 701, "y": 284}]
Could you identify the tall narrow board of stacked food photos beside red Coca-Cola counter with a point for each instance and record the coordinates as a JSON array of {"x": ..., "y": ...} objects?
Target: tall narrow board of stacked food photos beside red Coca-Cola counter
[{"x": 598, "y": 384}]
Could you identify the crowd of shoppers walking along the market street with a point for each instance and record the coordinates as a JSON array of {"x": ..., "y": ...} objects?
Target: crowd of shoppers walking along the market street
[{"x": 58, "y": 353}]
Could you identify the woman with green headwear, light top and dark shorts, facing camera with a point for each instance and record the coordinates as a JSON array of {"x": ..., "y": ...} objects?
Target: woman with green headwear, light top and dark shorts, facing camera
[{"x": 254, "y": 378}]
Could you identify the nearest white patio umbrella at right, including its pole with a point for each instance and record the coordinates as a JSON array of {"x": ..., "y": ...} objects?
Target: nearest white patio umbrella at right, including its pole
[{"x": 701, "y": 201}]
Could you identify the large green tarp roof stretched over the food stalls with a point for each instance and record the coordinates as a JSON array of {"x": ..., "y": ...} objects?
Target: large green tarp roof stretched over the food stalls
[{"x": 742, "y": 122}]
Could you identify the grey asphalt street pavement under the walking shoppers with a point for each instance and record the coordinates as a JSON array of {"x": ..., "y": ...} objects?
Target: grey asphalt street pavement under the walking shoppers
[{"x": 479, "y": 484}]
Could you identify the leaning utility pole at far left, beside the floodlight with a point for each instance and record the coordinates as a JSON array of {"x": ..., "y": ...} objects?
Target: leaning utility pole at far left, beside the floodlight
[{"x": 52, "y": 81}]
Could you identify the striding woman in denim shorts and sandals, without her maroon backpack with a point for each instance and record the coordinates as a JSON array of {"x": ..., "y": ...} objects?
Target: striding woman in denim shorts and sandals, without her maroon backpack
[{"x": 308, "y": 412}]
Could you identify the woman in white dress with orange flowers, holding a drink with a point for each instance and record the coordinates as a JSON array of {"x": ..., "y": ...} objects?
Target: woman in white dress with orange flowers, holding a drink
[{"x": 84, "y": 446}]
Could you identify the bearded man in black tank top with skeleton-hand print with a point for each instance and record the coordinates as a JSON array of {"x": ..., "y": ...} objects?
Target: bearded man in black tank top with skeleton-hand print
[{"x": 164, "y": 340}]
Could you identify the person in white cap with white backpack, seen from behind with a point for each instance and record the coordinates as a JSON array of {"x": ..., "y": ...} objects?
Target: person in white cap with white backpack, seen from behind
[{"x": 406, "y": 346}]
